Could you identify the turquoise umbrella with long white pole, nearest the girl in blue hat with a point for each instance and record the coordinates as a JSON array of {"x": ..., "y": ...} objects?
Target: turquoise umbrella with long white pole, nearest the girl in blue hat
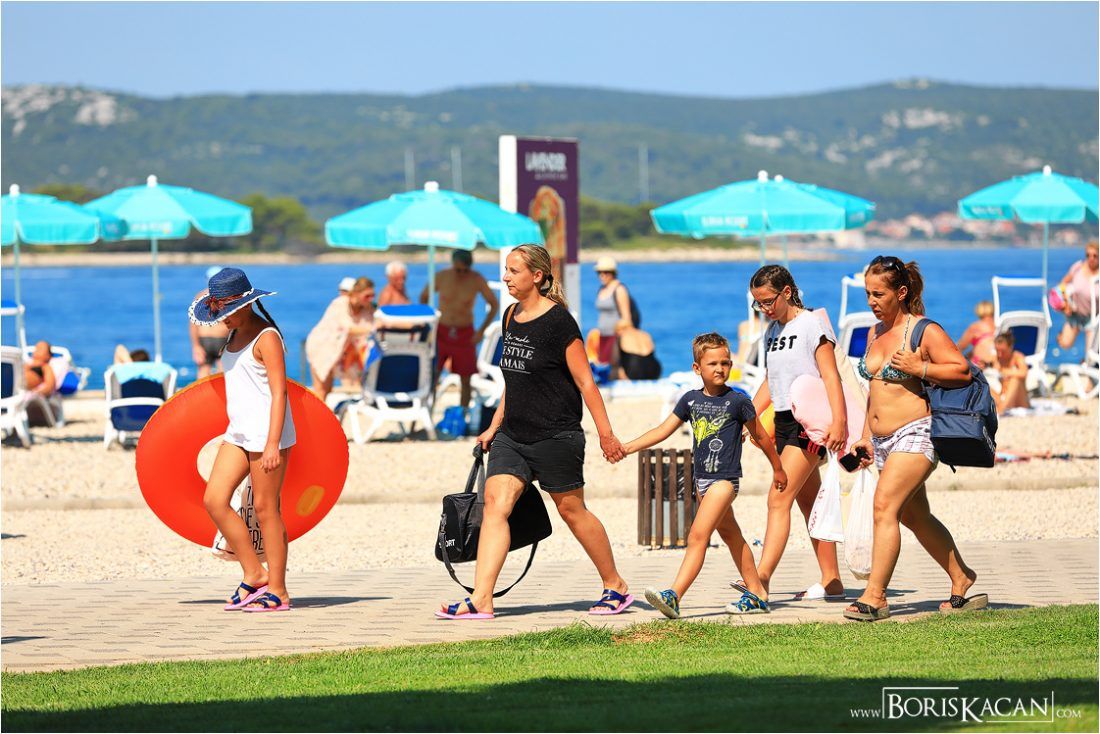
[{"x": 169, "y": 213}]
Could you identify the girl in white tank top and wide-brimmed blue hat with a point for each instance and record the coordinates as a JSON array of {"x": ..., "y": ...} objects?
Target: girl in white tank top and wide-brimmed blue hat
[{"x": 258, "y": 440}]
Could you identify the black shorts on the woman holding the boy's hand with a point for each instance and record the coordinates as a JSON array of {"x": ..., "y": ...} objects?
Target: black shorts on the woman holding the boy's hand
[{"x": 557, "y": 463}]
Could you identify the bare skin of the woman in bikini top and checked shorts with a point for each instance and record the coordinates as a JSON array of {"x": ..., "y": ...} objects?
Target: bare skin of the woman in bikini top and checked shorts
[{"x": 901, "y": 496}]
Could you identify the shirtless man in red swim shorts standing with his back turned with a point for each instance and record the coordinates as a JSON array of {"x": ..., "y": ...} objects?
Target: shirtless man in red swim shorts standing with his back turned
[{"x": 457, "y": 345}]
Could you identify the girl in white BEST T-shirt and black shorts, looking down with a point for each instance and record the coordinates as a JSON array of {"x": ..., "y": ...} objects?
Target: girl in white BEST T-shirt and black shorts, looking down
[{"x": 797, "y": 343}]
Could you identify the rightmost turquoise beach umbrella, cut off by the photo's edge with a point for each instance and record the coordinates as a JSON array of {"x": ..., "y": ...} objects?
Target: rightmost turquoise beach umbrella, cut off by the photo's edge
[{"x": 1043, "y": 198}]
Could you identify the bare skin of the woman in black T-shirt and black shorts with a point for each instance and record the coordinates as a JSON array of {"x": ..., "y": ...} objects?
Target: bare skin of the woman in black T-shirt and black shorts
[{"x": 502, "y": 491}]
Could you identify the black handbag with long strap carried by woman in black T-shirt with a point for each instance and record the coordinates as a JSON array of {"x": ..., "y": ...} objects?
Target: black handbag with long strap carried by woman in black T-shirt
[{"x": 460, "y": 524}]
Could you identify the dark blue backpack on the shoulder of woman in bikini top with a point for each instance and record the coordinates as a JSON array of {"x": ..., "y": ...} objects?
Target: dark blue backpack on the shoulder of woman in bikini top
[{"x": 964, "y": 420}]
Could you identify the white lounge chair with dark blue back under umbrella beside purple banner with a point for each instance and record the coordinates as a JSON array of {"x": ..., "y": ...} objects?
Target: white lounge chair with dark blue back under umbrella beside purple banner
[{"x": 397, "y": 388}]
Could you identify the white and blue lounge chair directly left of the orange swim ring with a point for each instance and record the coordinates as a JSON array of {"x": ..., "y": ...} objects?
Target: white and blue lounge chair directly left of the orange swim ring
[{"x": 135, "y": 391}]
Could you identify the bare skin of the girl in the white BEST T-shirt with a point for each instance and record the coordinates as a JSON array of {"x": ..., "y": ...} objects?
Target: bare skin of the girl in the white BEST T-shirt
[{"x": 801, "y": 467}]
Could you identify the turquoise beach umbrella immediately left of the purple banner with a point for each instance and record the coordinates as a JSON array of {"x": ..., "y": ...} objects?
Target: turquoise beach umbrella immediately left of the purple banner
[{"x": 433, "y": 218}]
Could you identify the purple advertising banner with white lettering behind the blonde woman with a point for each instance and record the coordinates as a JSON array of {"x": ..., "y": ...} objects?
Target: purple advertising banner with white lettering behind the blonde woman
[{"x": 548, "y": 189}]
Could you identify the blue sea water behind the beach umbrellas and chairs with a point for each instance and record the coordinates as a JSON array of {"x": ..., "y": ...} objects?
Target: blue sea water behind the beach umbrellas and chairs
[{"x": 90, "y": 310}]
